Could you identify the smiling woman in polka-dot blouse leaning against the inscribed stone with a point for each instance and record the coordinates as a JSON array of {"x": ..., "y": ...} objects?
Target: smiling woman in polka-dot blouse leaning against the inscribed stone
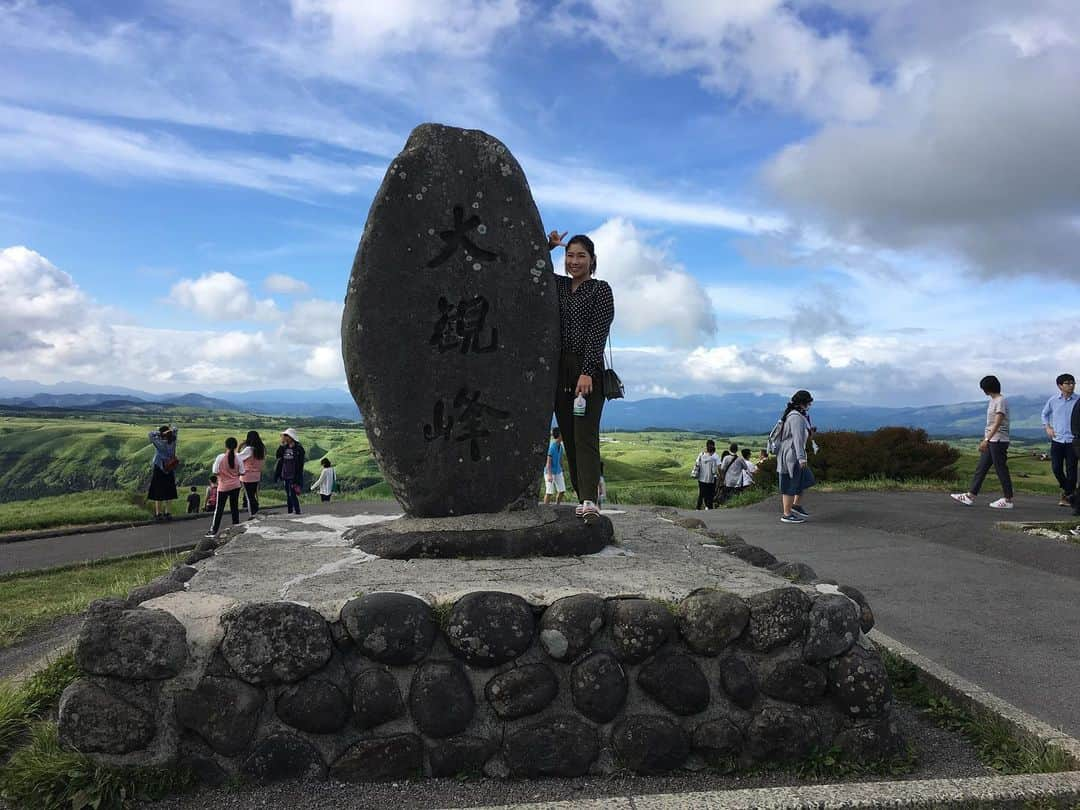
[{"x": 586, "y": 313}]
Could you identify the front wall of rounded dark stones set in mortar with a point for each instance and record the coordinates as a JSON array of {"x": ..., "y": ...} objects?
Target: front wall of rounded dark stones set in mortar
[{"x": 396, "y": 688}]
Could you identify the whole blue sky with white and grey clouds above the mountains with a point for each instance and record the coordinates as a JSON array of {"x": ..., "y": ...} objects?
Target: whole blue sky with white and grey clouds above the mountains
[{"x": 875, "y": 201}]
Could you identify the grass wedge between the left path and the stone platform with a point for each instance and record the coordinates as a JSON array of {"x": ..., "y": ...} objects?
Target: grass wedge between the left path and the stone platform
[{"x": 34, "y": 599}]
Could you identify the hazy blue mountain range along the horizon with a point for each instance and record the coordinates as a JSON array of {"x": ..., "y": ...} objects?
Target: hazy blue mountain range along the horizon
[{"x": 724, "y": 415}]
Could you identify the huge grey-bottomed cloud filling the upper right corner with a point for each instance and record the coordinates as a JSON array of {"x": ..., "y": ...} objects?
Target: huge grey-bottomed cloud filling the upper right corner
[{"x": 970, "y": 156}]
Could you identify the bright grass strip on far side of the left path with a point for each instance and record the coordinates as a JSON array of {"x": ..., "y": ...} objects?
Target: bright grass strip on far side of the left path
[{"x": 76, "y": 509}]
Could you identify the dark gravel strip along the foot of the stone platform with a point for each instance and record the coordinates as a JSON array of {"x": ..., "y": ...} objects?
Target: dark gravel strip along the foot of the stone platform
[{"x": 942, "y": 755}]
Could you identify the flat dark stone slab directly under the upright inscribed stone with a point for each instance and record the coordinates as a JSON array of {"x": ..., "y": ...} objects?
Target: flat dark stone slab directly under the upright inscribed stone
[{"x": 533, "y": 533}]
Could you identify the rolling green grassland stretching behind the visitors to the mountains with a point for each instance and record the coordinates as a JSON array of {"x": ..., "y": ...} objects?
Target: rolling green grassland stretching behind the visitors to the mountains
[{"x": 83, "y": 470}]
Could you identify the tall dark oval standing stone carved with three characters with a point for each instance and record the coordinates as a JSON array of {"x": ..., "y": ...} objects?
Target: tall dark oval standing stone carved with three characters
[{"x": 451, "y": 327}]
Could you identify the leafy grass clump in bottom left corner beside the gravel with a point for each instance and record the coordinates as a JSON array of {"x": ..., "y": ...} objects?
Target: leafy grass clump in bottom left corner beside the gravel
[{"x": 43, "y": 776}]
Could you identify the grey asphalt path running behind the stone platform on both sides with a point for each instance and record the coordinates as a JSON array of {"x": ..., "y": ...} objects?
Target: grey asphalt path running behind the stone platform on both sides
[{"x": 1000, "y": 607}]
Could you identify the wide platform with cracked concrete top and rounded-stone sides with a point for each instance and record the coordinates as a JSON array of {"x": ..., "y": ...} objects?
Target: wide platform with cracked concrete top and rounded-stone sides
[{"x": 290, "y": 654}]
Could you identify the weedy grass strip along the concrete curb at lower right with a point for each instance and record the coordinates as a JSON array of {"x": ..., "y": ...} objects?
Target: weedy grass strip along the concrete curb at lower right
[{"x": 995, "y": 742}]
